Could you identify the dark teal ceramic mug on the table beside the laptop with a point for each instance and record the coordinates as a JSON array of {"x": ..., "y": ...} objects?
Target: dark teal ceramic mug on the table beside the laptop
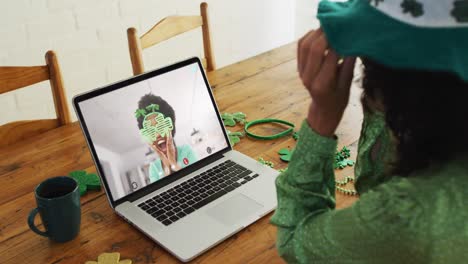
[{"x": 58, "y": 203}]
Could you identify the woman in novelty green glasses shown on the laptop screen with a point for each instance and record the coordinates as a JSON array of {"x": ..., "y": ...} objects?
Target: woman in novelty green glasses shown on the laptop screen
[{"x": 156, "y": 119}]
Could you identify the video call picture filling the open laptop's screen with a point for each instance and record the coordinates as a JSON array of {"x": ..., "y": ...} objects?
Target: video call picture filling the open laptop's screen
[{"x": 148, "y": 130}]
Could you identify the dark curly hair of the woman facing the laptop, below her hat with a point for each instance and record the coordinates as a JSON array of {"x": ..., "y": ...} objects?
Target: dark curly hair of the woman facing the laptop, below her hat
[{"x": 427, "y": 112}]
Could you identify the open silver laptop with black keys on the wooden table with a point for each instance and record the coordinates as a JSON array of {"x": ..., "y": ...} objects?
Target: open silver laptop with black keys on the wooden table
[{"x": 165, "y": 161}]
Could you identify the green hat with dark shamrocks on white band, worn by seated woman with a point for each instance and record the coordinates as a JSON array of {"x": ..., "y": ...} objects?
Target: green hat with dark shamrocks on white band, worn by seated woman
[{"x": 429, "y": 35}]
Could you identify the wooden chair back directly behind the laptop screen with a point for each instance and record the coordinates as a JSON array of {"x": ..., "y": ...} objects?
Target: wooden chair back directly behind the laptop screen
[{"x": 167, "y": 28}]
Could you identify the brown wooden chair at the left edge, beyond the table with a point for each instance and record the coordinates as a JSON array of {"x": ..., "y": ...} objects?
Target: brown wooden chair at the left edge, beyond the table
[{"x": 13, "y": 78}]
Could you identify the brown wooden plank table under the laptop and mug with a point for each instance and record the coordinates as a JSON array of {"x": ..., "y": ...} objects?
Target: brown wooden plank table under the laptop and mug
[{"x": 263, "y": 86}]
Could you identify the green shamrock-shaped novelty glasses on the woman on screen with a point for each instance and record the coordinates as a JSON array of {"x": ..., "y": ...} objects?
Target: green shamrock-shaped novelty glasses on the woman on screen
[{"x": 158, "y": 125}]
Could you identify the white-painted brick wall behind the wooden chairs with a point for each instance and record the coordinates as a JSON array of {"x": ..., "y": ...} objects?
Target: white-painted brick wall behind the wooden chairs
[{"x": 89, "y": 37}]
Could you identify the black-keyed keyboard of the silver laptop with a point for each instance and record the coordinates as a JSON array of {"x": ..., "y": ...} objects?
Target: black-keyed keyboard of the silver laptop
[{"x": 189, "y": 196}]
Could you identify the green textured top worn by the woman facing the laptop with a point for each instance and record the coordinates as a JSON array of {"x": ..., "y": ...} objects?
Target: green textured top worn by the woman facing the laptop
[{"x": 418, "y": 219}]
